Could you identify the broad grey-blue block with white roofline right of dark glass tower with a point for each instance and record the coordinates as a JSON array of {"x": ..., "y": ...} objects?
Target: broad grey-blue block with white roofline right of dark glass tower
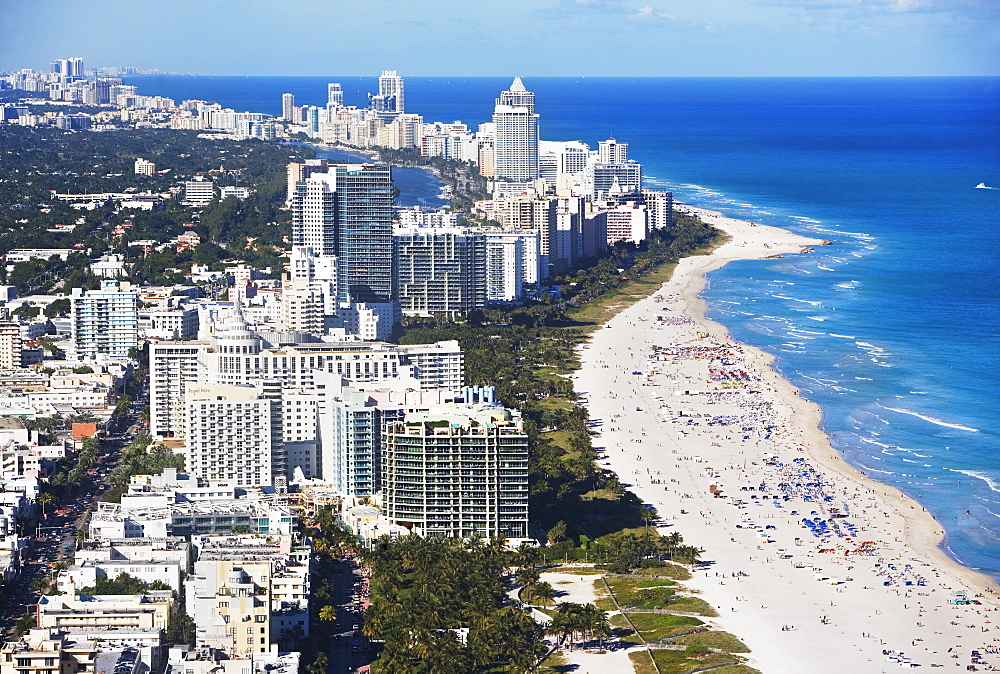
[{"x": 440, "y": 270}]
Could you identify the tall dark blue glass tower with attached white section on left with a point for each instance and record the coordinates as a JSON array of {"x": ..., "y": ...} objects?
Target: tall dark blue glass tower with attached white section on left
[{"x": 347, "y": 212}]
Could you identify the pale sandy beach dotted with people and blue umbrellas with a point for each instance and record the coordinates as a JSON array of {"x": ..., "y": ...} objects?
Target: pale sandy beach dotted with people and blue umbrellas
[{"x": 814, "y": 566}]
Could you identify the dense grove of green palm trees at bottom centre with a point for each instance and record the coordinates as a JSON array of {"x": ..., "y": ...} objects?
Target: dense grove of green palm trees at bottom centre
[{"x": 440, "y": 605}]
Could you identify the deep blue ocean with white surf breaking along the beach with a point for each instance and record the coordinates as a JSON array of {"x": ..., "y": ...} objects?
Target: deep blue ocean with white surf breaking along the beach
[{"x": 893, "y": 329}]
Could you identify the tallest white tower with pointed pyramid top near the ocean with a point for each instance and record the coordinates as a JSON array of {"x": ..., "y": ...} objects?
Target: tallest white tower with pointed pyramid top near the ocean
[{"x": 515, "y": 143}]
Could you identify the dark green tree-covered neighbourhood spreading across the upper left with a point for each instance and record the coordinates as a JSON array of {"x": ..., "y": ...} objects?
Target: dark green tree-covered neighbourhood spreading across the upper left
[{"x": 38, "y": 161}]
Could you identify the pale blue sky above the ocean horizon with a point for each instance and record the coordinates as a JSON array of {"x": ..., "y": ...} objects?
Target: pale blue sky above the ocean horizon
[{"x": 498, "y": 37}]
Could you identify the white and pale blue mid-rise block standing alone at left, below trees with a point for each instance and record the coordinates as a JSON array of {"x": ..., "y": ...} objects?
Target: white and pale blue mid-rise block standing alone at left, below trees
[{"x": 105, "y": 321}]
